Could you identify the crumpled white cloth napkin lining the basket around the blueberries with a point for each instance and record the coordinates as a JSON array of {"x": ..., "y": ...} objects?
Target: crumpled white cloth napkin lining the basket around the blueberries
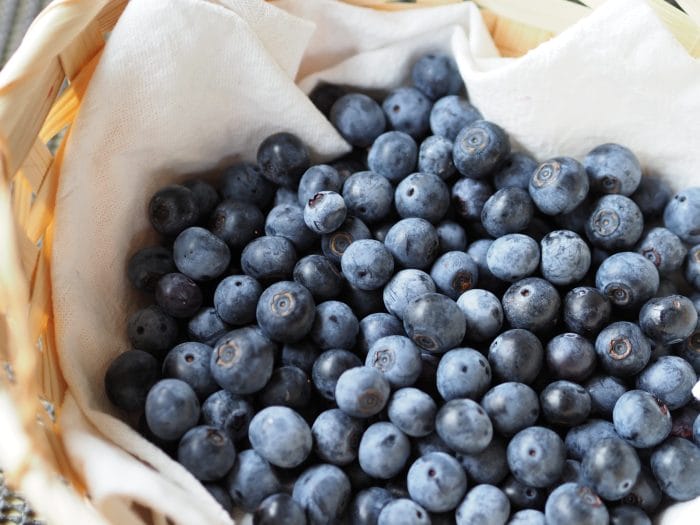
[{"x": 190, "y": 85}]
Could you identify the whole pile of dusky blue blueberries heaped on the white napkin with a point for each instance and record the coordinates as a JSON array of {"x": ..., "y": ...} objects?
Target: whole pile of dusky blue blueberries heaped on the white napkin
[{"x": 431, "y": 329}]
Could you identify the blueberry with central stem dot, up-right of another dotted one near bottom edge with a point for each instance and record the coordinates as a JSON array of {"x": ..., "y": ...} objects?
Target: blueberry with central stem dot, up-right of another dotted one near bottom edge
[{"x": 536, "y": 456}]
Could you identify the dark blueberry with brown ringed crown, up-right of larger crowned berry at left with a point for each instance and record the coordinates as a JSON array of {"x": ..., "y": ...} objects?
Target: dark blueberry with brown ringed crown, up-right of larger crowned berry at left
[{"x": 286, "y": 311}]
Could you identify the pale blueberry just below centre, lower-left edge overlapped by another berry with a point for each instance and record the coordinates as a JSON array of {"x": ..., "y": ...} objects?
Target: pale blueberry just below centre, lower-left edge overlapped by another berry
[{"x": 397, "y": 358}]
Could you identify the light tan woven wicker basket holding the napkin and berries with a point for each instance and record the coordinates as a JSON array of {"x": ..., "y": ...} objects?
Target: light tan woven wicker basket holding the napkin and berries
[{"x": 40, "y": 94}]
